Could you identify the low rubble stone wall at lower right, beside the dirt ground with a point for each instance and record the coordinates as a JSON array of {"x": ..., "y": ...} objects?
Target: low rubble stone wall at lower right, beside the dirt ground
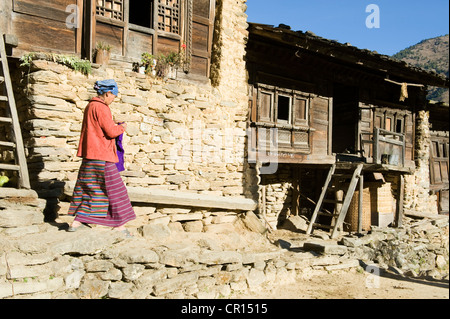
[{"x": 421, "y": 248}]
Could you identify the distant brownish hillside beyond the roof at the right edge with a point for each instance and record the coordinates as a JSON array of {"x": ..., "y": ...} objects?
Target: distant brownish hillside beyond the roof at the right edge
[{"x": 432, "y": 55}]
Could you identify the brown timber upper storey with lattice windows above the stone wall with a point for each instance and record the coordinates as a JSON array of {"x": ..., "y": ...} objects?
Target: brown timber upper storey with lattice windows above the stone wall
[{"x": 129, "y": 27}]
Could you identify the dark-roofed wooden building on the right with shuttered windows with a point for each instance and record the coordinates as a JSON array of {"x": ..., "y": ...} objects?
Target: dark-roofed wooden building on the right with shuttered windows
[{"x": 332, "y": 105}]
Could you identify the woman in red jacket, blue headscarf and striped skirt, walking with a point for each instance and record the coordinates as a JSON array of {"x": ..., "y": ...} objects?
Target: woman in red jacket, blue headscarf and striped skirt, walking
[{"x": 100, "y": 196}]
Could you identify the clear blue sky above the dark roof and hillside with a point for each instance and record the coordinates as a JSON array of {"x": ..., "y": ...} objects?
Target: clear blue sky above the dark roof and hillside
[{"x": 402, "y": 22}]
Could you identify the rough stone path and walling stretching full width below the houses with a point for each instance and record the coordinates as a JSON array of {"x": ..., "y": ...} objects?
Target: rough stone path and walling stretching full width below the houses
[{"x": 42, "y": 260}]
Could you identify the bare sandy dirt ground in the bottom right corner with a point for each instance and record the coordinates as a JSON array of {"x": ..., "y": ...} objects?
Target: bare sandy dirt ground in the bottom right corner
[{"x": 355, "y": 285}]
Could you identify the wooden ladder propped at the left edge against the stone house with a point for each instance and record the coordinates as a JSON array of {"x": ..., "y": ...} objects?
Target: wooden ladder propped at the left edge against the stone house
[{"x": 12, "y": 120}]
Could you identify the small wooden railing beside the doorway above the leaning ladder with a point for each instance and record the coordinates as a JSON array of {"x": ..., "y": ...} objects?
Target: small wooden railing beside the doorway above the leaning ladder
[{"x": 384, "y": 147}]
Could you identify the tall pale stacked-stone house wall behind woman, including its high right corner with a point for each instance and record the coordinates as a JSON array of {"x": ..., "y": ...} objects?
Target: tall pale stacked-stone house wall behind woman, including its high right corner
[{"x": 182, "y": 135}]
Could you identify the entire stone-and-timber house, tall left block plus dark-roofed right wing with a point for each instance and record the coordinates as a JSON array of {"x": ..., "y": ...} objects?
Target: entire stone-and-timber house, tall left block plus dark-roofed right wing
[{"x": 198, "y": 148}]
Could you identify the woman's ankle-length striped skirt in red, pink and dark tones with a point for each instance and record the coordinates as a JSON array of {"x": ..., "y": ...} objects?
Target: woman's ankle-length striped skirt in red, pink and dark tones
[{"x": 100, "y": 196}]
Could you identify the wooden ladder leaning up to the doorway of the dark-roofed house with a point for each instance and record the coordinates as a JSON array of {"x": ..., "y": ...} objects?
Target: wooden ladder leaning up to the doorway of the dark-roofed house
[{"x": 337, "y": 217}]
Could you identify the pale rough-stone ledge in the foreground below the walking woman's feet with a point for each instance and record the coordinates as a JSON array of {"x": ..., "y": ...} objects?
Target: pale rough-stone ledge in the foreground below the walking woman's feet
[{"x": 159, "y": 262}]
